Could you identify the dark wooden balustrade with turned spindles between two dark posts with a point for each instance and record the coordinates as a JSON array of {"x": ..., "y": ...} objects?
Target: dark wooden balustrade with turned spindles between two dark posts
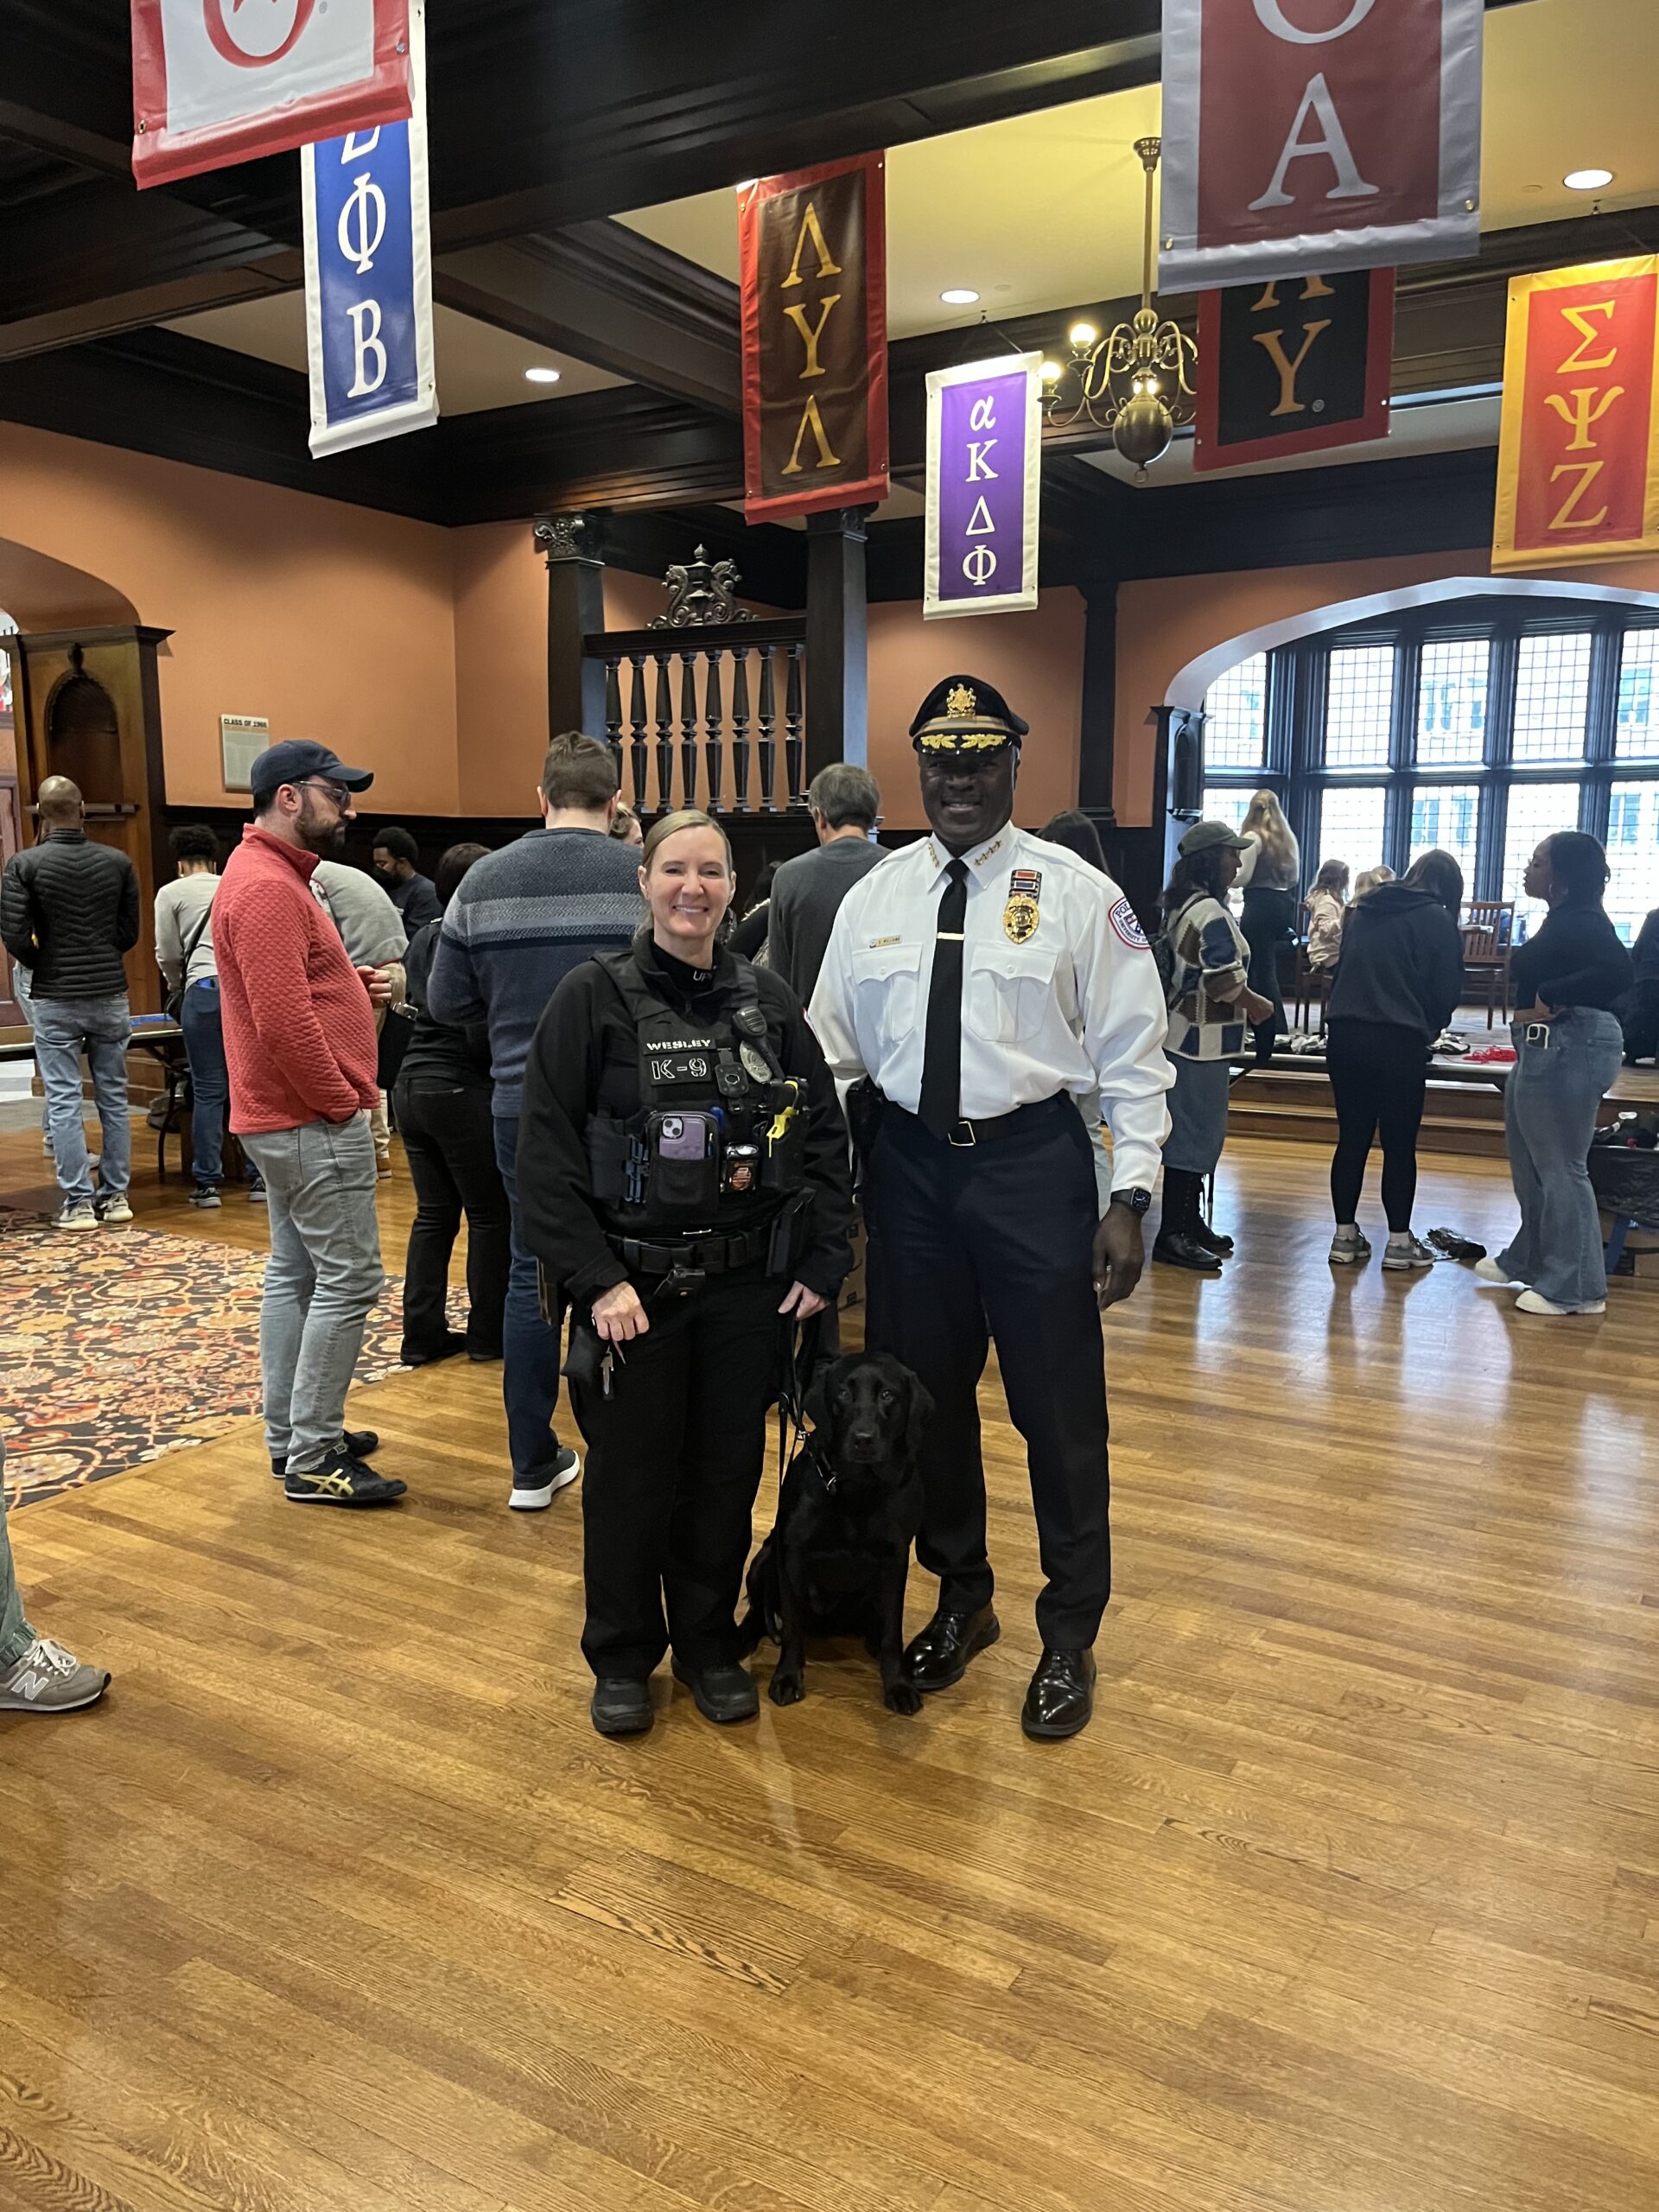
[{"x": 698, "y": 764}]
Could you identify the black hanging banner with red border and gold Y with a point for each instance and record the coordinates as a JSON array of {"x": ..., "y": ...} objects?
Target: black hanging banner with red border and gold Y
[{"x": 1293, "y": 368}]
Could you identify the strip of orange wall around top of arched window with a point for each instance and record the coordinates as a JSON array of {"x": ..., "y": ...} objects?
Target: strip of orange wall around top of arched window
[{"x": 1167, "y": 623}]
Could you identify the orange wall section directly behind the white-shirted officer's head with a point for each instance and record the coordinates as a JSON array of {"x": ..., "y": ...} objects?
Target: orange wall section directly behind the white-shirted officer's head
[{"x": 1034, "y": 660}]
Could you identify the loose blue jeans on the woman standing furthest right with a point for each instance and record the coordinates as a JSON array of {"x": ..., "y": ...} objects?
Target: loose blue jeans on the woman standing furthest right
[{"x": 1550, "y": 1118}]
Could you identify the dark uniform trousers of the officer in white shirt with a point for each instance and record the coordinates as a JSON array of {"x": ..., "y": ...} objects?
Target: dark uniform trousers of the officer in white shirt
[{"x": 997, "y": 1242}]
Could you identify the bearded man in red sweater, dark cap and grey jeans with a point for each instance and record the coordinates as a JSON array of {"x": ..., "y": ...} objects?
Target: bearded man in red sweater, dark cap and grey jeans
[{"x": 302, "y": 1056}]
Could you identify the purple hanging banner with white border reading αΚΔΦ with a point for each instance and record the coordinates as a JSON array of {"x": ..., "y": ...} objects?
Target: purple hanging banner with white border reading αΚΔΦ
[{"x": 983, "y": 488}]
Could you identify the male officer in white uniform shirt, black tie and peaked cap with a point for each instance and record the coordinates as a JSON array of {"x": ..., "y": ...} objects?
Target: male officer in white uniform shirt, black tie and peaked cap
[{"x": 988, "y": 981}]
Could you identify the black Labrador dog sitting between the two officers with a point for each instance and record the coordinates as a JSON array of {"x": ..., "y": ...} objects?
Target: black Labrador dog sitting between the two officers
[{"x": 848, "y": 1516}]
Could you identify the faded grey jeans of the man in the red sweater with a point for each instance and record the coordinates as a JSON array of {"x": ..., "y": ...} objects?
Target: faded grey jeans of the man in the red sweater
[{"x": 322, "y": 1280}]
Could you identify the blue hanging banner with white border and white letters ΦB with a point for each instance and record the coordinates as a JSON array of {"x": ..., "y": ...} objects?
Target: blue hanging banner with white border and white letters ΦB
[{"x": 368, "y": 275}]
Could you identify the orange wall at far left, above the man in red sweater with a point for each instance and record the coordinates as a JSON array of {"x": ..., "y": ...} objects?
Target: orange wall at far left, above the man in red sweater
[{"x": 331, "y": 620}]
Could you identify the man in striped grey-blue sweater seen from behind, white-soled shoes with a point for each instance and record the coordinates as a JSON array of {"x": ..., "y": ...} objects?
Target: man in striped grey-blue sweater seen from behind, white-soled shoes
[{"x": 517, "y": 928}]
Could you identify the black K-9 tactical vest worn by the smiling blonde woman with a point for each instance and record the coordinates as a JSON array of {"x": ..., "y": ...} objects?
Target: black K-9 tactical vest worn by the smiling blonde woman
[{"x": 720, "y": 1136}]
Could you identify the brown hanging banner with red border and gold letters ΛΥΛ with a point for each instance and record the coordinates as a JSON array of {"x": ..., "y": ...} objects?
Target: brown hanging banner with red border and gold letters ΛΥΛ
[{"x": 815, "y": 340}]
